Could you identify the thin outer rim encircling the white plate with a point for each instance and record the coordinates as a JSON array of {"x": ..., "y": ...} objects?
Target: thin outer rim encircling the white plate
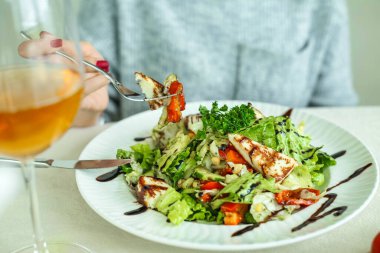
[{"x": 245, "y": 246}]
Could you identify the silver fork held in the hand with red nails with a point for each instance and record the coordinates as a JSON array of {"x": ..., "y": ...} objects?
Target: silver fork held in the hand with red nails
[{"x": 120, "y": 88}]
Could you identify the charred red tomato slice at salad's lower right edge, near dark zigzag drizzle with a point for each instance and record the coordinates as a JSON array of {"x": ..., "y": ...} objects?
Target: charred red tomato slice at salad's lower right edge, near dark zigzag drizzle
[{"x": 293, "y": 197}]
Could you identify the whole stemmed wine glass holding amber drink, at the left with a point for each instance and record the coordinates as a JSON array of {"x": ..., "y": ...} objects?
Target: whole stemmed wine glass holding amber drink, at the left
[{"x": 40, "y": 92}]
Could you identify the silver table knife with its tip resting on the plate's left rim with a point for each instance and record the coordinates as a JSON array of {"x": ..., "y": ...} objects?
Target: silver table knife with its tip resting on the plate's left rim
[{"x": 74, "y": 164}]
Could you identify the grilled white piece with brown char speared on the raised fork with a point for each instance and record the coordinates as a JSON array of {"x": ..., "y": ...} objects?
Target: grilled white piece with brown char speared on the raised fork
[{"x": 151, "y": 89}]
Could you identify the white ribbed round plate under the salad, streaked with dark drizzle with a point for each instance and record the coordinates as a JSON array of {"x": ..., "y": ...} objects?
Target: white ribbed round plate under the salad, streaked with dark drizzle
[{"x": 111, "y": 199}]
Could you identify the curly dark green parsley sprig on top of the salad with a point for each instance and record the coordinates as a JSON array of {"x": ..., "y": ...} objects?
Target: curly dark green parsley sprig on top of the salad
[{"x": 220, "y": 120}]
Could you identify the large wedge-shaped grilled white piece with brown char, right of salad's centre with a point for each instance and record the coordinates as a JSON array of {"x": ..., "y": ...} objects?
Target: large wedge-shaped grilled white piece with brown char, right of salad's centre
[{"x": 265, "y": 160}]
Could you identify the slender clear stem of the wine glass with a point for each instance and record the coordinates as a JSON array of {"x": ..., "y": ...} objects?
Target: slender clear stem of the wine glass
[{"x": 30, "y": 182}]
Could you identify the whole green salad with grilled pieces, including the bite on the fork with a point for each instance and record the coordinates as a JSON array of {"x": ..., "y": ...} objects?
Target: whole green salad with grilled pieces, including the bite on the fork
[{"x": 223, "y": 165}]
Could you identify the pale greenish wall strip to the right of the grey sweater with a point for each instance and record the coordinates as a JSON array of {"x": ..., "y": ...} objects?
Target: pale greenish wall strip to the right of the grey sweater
[{"x": 365, "y": 48}]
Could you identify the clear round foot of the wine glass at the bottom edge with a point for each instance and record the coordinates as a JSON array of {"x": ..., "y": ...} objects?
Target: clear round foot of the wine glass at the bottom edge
[{"x": 56, "y": 247}]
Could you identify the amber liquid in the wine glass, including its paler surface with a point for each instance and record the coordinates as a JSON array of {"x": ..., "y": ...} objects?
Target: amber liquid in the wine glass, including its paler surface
[{"x": 37, "y": 105}]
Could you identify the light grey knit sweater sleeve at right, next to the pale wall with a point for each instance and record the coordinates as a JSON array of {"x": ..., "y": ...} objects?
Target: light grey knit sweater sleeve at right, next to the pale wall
[{"x": 334, "y": 83}]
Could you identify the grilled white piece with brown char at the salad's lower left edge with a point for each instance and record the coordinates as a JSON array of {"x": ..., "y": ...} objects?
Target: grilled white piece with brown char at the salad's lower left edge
[{"x": 149, "y": 189}]
